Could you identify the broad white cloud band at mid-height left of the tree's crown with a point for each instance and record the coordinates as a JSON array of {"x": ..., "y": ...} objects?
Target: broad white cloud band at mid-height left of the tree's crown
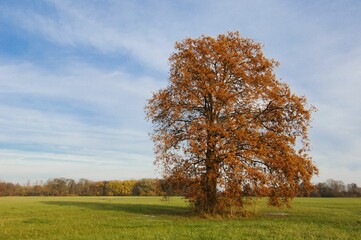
[{"x": 107, "y": 90}]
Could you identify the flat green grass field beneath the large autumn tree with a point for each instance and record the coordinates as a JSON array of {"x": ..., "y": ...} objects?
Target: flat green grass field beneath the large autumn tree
[{"x": 153, "y": 218}]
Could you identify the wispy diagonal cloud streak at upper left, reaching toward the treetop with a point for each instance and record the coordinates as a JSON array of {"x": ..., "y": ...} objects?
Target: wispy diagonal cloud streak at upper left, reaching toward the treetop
[{"x": 110, "y": 28}]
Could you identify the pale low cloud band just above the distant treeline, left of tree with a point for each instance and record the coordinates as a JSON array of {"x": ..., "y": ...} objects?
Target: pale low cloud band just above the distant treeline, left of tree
[{"x": 17, "y": 165}]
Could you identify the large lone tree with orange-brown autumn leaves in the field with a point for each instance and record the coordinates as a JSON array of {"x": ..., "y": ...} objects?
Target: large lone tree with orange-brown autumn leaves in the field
[{"x": 226, "y": 128}]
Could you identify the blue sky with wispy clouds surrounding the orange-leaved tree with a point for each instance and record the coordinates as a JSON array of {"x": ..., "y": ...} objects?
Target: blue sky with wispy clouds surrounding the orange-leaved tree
[{"x": 75, "y": 77}]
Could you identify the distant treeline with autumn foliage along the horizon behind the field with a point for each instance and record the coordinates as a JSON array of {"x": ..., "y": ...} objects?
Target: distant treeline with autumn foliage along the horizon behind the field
[{"x": 143, "y": 187}]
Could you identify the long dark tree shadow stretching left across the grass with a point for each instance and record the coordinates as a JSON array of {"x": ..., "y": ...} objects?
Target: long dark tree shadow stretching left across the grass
[{"x": 145, "y": 209}]
